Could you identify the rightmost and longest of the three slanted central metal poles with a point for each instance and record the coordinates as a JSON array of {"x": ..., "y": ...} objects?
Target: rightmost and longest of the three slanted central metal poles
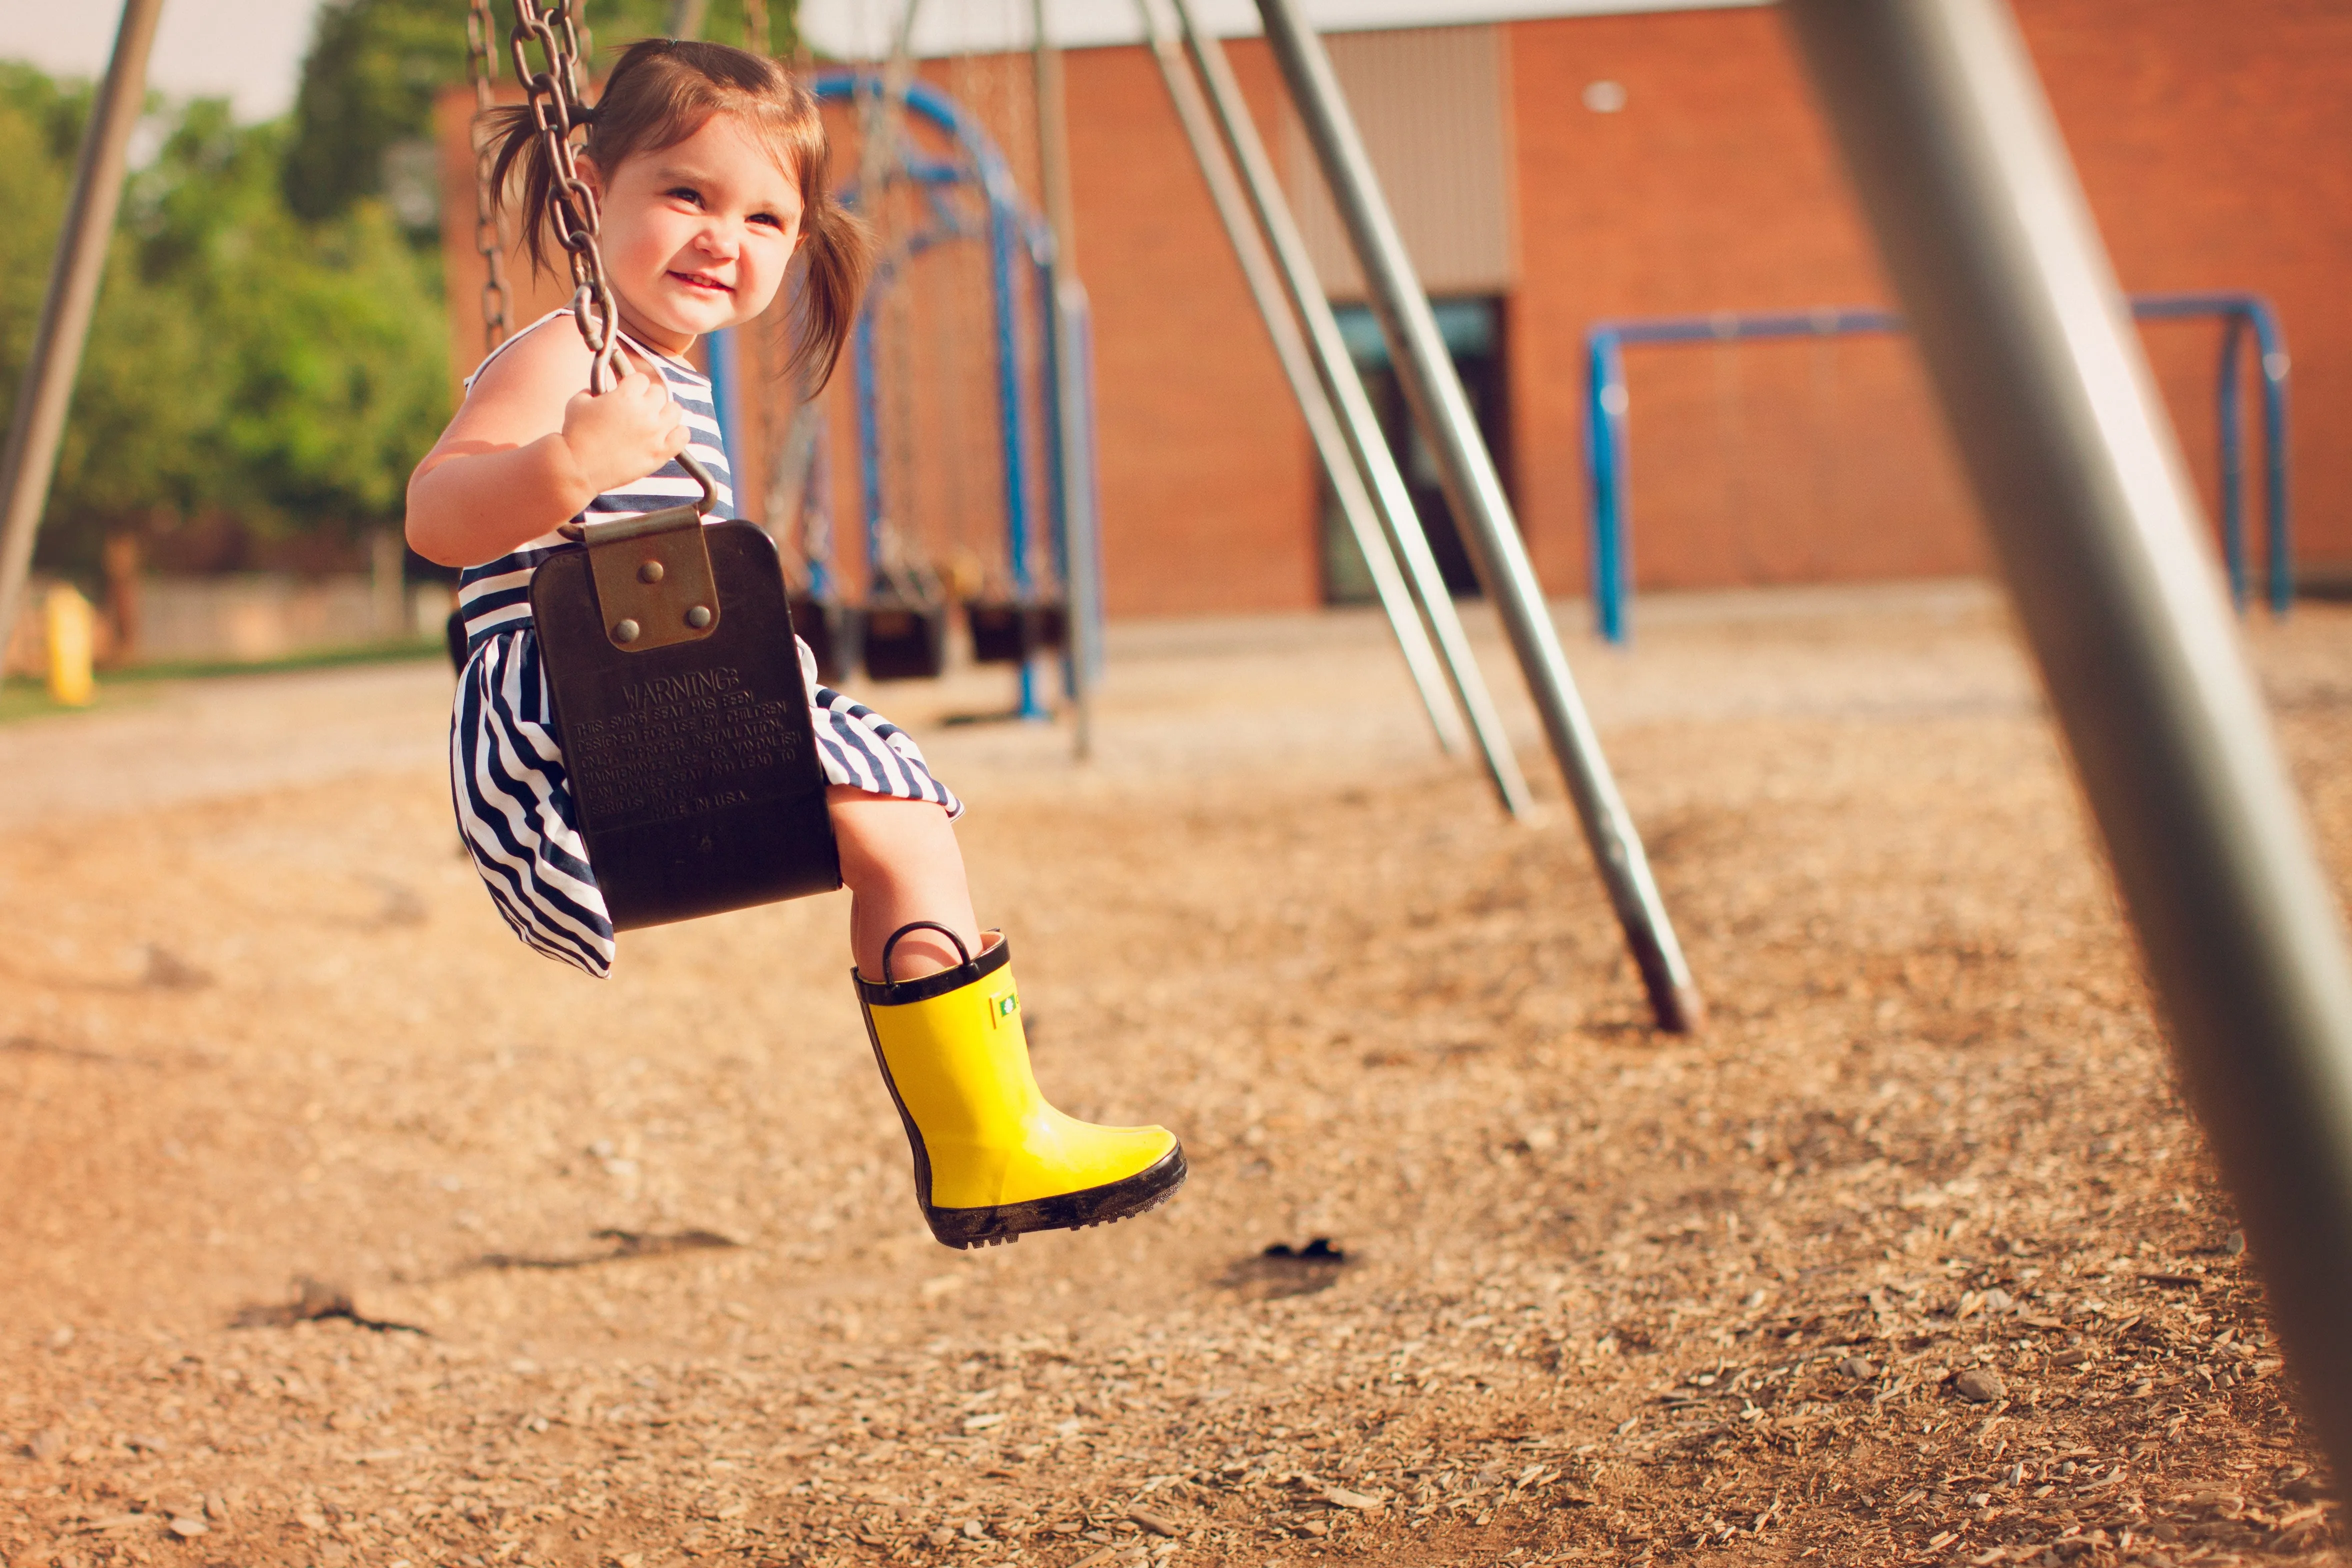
[{"x": 1476, "y": 492}]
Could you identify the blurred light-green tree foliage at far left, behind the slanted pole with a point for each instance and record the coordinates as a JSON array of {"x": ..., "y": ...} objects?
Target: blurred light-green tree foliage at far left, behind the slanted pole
[{"x": 241, "y": 361}]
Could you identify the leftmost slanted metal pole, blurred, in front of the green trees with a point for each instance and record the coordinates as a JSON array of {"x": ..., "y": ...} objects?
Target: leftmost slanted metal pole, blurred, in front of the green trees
[{"x": 39, "y": 422}]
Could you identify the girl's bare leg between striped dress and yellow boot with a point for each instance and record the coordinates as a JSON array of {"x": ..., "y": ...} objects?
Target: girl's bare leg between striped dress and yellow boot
[{"x": 902, "y": 864}]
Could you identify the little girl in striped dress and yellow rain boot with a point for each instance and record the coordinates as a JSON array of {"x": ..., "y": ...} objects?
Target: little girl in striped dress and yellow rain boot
[{"x": 709, "y": 168}]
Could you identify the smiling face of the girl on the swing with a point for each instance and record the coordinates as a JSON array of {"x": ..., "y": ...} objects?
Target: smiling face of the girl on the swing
[{"x": 697, "y": 236}]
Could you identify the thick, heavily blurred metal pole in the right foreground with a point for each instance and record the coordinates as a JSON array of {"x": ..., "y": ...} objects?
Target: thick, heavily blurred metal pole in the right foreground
[{"x": 2076, "y": 469}]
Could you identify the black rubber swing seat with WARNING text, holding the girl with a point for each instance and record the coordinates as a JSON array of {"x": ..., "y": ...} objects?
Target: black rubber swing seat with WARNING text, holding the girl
[{"x": 683, "y": 718}]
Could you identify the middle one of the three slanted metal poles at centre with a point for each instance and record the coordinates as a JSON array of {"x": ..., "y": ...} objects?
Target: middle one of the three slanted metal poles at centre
[{"x": 1344, "y": 391}]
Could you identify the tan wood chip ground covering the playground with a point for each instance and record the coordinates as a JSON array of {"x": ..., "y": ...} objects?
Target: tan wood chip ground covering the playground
[{"x": 1913, "y": 1259}]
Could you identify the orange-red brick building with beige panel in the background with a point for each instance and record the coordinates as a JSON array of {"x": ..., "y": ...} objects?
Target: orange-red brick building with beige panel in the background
[{"x": 1558, "y": 170}]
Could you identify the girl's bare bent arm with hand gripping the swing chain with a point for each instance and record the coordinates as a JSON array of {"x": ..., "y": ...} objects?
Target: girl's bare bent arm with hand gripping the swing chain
[{"x": 528, "y": 450}]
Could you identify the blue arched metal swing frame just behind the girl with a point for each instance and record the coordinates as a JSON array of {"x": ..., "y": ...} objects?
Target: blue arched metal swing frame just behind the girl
[{"x": 1027, "y": 389}]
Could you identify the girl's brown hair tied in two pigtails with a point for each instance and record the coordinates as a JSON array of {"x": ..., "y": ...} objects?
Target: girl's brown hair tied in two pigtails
[{"x": 667, "y": 91}]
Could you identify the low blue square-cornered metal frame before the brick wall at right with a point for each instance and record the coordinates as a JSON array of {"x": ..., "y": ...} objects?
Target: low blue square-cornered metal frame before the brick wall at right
[{"x": 1610, "y": 410}]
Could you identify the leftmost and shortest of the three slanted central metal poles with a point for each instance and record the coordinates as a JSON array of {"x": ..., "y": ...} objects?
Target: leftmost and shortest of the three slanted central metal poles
[{"x": 1323, "y": 427}]
